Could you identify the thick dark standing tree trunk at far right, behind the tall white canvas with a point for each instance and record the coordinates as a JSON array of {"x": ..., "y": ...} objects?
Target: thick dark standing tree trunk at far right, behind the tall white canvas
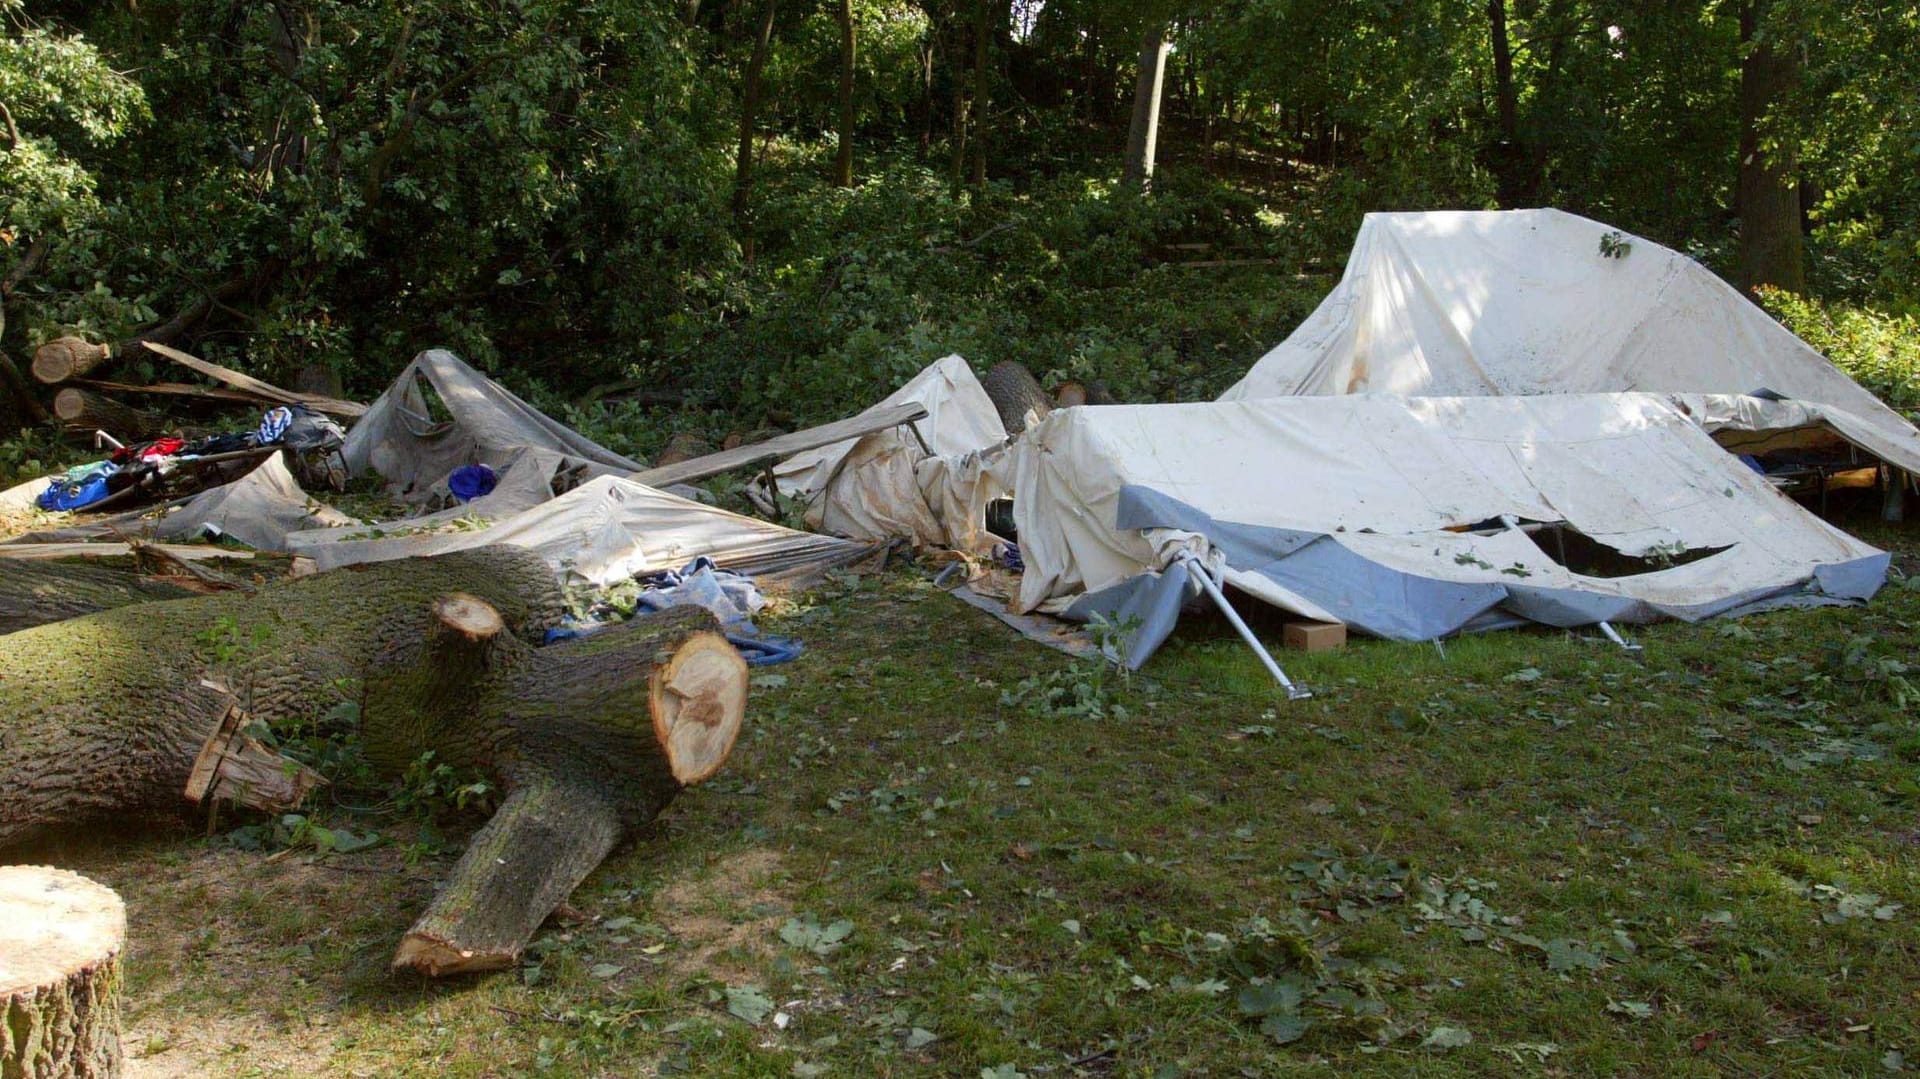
[{"x": 1767, "y": 197}]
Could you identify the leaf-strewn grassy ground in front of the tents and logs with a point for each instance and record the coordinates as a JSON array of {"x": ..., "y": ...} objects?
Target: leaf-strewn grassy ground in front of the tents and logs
[{"x": 1527, "y": 853}]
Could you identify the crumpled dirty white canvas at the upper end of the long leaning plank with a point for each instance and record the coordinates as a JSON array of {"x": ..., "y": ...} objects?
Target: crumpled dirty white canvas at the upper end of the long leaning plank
[{"x": 884, "y": 485}]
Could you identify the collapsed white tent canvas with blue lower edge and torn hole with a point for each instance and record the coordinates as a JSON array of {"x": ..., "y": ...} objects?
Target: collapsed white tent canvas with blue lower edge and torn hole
[{"x": 1374, "y": 512}]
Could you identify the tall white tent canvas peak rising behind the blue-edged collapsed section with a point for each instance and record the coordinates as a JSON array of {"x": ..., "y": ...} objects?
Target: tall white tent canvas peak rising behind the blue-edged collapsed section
[{"x": 1525, "y": 302}]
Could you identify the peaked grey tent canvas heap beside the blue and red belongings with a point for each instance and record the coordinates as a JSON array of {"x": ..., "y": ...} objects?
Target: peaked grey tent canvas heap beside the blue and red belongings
[{"x": 443, "y": 416}]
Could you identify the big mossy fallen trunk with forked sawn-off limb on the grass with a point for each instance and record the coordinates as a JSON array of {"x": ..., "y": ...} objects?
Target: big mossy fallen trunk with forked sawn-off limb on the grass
[{"x": 588, "y": 740}]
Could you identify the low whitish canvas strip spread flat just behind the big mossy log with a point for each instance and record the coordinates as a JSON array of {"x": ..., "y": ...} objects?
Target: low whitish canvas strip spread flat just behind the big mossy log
[{"x": 604, "y": 533}]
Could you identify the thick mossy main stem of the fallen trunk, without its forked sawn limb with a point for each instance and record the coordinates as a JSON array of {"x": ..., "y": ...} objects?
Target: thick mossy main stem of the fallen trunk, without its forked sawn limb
[{"x": 103, "y": 717}]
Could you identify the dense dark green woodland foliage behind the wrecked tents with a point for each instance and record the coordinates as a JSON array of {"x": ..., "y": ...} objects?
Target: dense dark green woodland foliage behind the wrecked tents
[{"x": 318, "y": 189}]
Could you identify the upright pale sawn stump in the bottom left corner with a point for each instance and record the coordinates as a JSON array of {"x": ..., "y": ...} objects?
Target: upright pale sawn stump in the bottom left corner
[{"x": 60, "y": 942}]
